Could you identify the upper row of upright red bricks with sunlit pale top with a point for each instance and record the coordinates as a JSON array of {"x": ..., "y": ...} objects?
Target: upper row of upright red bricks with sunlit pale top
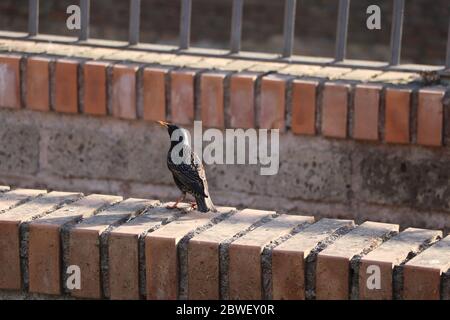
[{"x": 271, "y": 100}]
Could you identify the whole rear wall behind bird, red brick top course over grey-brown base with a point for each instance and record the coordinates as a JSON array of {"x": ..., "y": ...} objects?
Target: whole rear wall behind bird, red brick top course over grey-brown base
[{"x": 356, "y": 143}]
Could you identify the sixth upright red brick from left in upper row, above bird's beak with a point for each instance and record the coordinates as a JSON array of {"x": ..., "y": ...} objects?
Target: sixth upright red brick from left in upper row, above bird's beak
[{"x": 155, "y": 94}]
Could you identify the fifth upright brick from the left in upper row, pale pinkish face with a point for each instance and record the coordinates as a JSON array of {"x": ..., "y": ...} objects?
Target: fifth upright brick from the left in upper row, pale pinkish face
[{"x": 124, "y": 91}]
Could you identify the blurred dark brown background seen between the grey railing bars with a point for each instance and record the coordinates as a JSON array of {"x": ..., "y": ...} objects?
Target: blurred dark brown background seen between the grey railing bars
[{"x": 424, "y": 37}]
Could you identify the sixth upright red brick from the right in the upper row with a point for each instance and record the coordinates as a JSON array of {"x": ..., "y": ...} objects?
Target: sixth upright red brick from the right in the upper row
[{"x": 273, "y": 102}]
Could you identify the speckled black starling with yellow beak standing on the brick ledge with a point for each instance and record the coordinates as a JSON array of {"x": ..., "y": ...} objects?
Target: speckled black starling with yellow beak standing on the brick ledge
[{"x": 189, "y": 174}]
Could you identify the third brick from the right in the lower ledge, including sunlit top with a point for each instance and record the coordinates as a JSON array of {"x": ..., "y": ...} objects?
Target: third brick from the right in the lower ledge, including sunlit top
[{"x": 333, "y": 263}]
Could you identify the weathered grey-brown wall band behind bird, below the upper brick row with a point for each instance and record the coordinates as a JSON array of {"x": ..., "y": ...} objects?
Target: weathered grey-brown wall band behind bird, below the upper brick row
[{"x": 324, "y": 177}]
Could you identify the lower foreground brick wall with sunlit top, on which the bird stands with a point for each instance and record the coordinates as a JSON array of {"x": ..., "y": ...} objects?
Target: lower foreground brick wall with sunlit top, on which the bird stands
[{"x": 184, "y": 254}]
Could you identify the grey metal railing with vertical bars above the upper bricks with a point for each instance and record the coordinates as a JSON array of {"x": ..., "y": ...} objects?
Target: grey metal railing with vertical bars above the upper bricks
[{"x": 286, "y": 52}]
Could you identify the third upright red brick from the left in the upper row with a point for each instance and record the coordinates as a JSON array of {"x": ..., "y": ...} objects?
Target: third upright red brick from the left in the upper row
[{"x": 66, "y": 86}]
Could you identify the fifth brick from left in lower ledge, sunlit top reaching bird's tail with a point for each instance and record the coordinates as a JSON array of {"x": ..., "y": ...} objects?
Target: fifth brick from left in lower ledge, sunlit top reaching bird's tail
[{"x": 161, "y": 254}]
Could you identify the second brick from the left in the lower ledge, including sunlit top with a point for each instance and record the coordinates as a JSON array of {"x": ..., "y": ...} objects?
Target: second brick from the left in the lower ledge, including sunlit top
[{"x": 44, "y": 261}]
